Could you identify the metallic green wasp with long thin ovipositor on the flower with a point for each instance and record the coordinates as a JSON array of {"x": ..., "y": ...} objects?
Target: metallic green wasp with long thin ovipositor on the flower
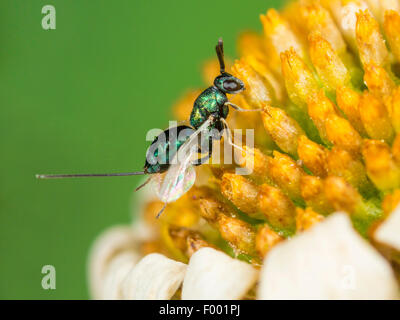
[{"x": 177, "y": 150}]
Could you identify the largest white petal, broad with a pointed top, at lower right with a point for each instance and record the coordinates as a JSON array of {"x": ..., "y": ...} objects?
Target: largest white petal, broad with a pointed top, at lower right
[{"x": 328, "y": 261}]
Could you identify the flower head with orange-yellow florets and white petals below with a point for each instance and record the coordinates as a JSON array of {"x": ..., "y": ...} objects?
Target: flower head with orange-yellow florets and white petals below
[{"x": 327, "y": 140}]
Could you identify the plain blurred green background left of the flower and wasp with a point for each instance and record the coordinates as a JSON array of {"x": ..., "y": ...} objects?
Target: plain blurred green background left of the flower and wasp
[{"x": 81, "y": 99}]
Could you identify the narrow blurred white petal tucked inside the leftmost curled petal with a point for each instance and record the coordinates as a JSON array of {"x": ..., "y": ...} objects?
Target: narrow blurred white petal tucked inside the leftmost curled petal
[{"x": 117, "y": 271}]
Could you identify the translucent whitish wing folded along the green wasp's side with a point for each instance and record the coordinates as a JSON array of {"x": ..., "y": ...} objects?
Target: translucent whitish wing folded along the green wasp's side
[{"x": 181, "y": 175}]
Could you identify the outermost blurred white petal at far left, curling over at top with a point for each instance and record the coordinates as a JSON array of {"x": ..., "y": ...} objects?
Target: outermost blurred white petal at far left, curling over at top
[{"x": 110, "y": 243}]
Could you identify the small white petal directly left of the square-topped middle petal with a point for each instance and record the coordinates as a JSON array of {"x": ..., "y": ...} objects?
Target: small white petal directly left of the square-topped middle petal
[{"x": 155, "y": 277}]
